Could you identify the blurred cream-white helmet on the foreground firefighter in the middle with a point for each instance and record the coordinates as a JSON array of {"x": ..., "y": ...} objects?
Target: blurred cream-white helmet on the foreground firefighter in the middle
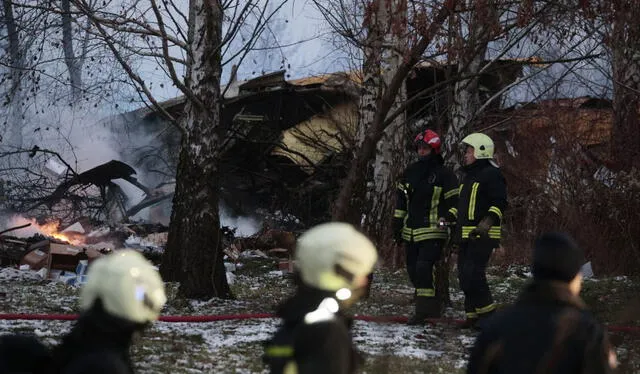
[{"x": 332, "y": 256}]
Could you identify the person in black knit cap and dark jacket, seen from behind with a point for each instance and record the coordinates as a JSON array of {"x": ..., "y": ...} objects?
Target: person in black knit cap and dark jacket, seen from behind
[{"x": 548, "y": 330}]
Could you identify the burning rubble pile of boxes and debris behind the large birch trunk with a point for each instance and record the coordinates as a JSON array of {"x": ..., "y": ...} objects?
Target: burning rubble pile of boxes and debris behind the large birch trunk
[{"x": 64, "y": 253}]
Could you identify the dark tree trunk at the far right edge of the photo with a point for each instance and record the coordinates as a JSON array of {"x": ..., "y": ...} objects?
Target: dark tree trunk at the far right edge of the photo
[{"x": 625, "y": 140}]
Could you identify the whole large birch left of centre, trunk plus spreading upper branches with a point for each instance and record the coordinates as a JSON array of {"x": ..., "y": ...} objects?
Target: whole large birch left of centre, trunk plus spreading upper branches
[{"x": 193, "y": 40}]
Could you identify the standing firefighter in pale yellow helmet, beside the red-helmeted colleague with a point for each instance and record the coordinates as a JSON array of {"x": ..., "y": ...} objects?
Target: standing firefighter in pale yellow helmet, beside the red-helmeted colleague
[{"x": 481, "y": 205}]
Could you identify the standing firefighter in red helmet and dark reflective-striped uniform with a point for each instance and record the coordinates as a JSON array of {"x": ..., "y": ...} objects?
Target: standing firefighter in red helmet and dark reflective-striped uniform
[{"x": 426, "y": 191}]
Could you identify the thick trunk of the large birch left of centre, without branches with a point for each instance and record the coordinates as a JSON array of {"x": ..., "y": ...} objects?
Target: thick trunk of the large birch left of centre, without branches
[{"x": 194, "y": 254}]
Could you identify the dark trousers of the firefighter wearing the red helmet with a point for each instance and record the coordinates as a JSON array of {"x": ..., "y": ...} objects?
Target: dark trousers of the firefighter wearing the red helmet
[{"x": 421, "y": 258}]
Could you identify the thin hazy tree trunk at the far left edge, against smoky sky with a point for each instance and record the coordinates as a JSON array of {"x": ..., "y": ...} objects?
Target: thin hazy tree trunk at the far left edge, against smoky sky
[{"x": 15, "y": 95}]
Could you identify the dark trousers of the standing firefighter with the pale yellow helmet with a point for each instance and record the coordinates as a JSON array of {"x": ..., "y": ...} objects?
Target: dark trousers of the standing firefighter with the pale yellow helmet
[{"x": 473, "y": 257}]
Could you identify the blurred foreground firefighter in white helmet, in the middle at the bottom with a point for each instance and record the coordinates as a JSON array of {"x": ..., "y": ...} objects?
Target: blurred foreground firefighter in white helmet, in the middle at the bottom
[{"x": 333, "y": 261}]
